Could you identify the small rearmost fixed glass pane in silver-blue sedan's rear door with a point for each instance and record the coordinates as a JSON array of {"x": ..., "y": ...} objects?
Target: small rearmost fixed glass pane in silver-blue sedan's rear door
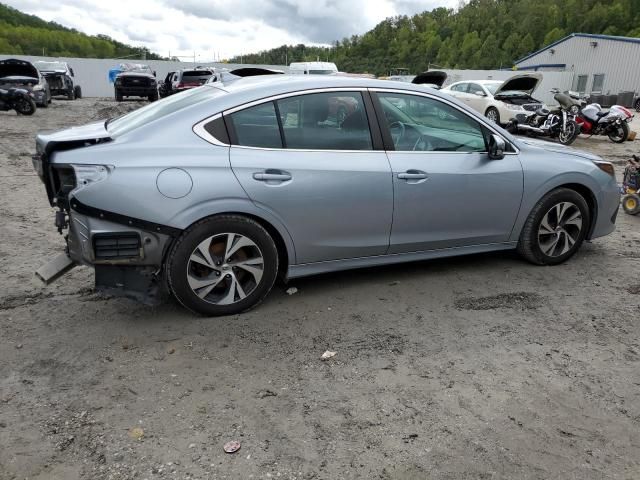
[{"x": 257, "y": 126}]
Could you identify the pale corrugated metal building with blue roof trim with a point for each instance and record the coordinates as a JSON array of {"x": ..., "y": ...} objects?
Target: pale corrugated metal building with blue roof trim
[{"x": 601, "y": 64}]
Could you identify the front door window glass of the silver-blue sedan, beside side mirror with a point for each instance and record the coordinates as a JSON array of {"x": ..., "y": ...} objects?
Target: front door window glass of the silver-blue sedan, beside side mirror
[{"x": 429, "y": 125}]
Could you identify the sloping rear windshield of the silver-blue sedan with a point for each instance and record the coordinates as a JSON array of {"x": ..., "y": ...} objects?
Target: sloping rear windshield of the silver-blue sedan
[{"x": 153, "y": 111}]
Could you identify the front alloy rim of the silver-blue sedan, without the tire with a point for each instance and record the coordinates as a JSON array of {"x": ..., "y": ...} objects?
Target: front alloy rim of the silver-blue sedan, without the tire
[{"x": 560, "y": 229}]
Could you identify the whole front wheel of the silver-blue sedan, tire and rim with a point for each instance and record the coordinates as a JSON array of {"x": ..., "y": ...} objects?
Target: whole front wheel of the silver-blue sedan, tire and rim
[{"x": 541, "y": 242}]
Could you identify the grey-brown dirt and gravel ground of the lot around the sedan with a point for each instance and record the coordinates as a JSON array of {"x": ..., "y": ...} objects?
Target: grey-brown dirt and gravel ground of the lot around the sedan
[{"x": 480, "y": 367}]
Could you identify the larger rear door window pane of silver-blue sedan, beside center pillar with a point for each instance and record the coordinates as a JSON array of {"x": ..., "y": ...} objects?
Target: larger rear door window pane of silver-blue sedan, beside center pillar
[{"x": 325, "y": 121}]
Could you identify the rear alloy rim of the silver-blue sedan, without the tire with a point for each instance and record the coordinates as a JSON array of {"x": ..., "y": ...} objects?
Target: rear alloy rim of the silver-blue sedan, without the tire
[{"x": 225, "y": 268}]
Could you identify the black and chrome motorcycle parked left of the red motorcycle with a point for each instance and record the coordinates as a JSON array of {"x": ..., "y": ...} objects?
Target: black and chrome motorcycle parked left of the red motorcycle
[{"x": 559, "y": 123}]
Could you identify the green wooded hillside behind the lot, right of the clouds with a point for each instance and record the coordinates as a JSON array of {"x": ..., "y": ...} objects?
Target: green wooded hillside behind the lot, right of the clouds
[{"x": 482, "y": 34}]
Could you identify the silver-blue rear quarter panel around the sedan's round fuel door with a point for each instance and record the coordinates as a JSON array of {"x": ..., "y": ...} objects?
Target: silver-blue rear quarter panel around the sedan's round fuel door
[{"x": 140, "y": 156}]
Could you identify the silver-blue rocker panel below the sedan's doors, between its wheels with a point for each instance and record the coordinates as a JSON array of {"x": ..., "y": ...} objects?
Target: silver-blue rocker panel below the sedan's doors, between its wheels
[{"x": 306, "y": 269}]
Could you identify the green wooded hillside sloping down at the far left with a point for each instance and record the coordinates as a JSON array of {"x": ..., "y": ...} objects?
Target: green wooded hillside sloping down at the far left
[{"x": 22, "y": 34}]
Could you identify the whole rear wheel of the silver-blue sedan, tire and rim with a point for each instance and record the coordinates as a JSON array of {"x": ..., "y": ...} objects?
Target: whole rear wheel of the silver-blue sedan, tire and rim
[{"x": 205, "y": 282}]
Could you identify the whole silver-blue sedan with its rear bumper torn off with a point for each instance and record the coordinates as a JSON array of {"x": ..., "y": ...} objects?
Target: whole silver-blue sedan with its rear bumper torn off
[{"x": 215, "y": 192}]
